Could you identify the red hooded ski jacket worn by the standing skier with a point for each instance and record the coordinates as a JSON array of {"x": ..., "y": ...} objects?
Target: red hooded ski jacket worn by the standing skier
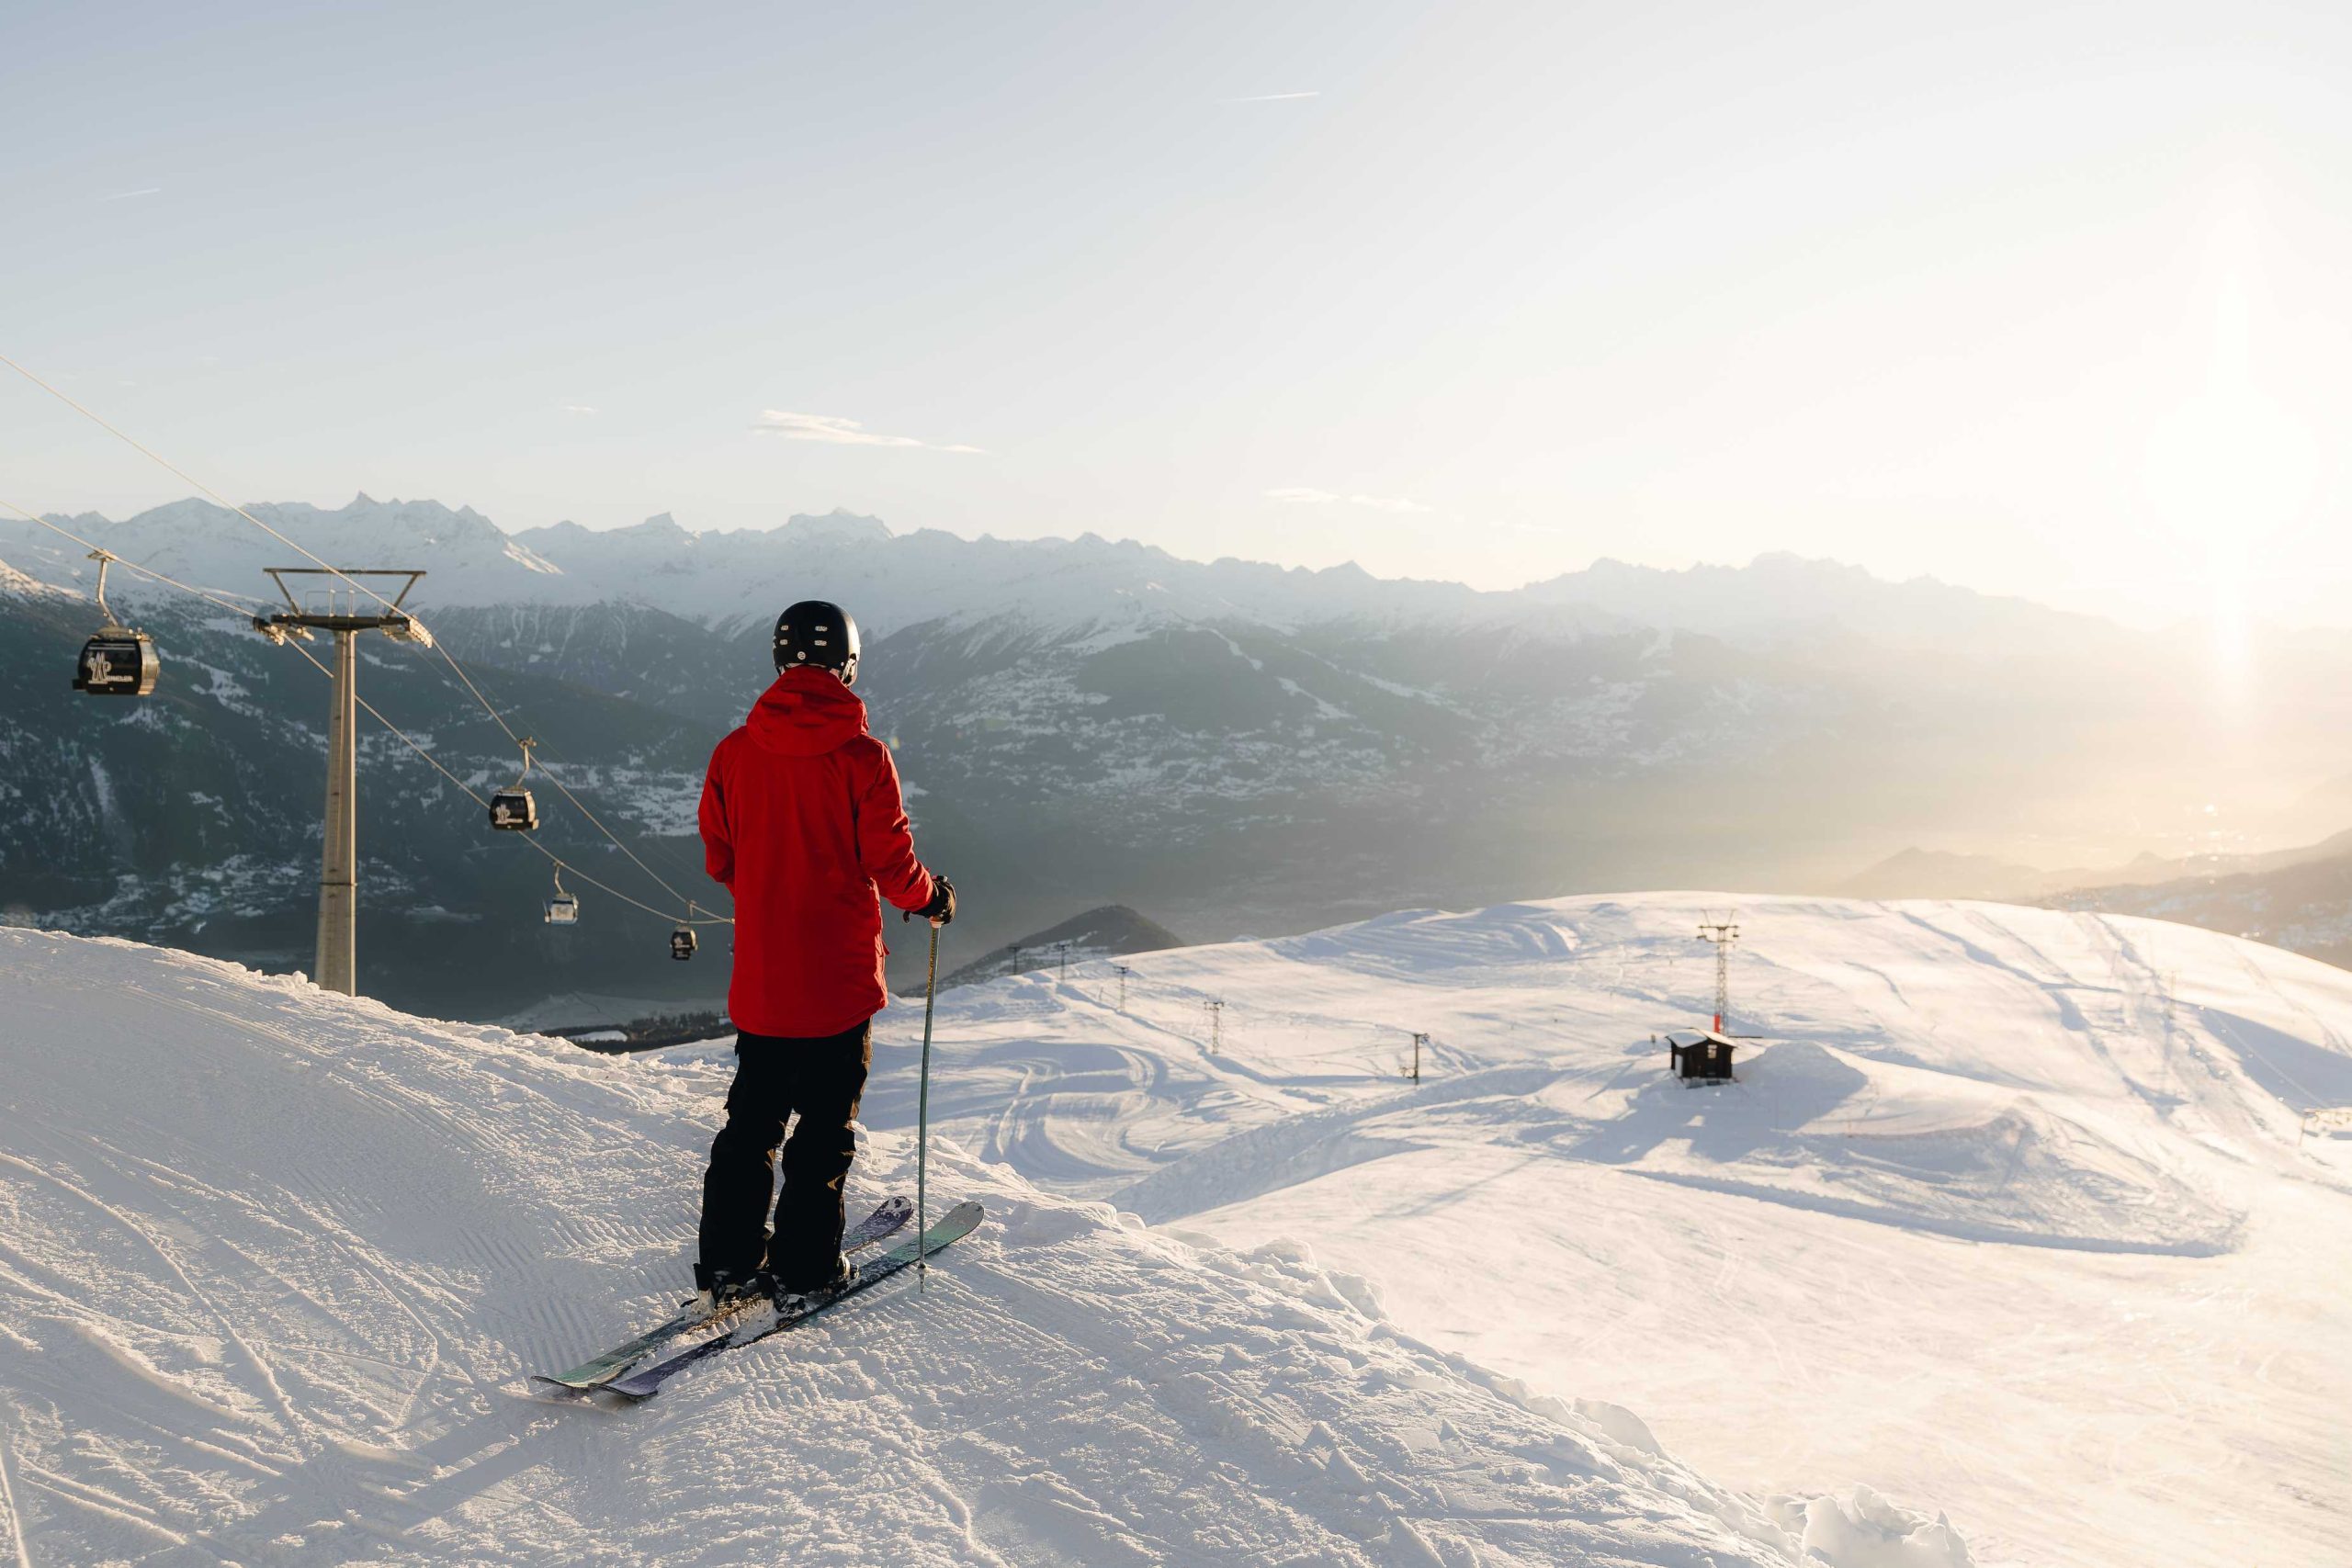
[{"x": 803, "y": 824}]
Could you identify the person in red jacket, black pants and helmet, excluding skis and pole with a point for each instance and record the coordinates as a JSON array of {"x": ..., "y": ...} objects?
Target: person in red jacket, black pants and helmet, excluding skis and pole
[{"x": 803, "y": 822}]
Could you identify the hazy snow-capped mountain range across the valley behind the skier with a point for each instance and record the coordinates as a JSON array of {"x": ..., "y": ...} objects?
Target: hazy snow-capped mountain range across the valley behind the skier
[{"x": 1081, "y": 723}]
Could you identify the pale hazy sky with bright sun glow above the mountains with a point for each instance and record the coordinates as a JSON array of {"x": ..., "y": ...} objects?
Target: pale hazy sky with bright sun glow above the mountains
[{"x": 2040, "y": 300}]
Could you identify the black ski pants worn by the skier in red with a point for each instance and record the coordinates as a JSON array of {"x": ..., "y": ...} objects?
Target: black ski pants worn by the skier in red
[{"x": 820, "y": 1080}]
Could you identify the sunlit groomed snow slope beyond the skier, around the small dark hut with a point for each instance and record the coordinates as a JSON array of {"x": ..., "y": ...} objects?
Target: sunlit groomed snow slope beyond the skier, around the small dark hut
[{"x": 2012, "y": 1209}]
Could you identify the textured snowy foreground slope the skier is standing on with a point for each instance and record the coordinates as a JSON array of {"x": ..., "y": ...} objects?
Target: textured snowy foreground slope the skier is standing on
[{"x": 272, "y": 1266}]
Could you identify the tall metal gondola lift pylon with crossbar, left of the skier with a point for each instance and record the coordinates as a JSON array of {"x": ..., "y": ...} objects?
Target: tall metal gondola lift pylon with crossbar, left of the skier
[{"x": 340, "y": 859}]
